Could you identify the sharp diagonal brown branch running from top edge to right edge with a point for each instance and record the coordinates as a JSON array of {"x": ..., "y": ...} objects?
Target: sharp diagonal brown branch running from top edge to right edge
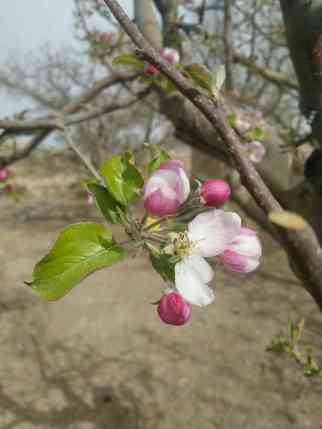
[{"x": 302, "y": 246}]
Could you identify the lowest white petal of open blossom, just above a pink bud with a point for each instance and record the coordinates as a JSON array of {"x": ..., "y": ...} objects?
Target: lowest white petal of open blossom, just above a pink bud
[{"x": 190, "y": 284}]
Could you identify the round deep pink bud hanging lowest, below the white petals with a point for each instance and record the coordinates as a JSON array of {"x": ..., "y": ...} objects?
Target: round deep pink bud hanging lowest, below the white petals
[{"x": 173, "y": 309}]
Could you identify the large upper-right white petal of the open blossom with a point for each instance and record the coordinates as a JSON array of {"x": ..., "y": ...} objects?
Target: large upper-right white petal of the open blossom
[{"x": 213, "y": 231}]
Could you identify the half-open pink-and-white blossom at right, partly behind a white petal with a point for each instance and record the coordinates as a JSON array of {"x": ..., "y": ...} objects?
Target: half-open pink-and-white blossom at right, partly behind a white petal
[{"x": 243, "y": 253}]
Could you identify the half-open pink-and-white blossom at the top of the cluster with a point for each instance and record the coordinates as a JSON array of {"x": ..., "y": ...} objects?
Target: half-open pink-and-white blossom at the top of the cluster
[{"x": 166, "y": 189}]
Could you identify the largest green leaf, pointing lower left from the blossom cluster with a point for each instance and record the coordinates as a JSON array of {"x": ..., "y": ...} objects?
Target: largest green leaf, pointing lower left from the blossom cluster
[{"x": 79, "y": 250}]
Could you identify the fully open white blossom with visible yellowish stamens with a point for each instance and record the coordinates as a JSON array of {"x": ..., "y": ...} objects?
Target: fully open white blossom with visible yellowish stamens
[{"x": 208, "y": 235}]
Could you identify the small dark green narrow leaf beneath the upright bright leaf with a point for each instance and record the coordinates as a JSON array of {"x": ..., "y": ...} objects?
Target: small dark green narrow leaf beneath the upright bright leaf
[{"x": 107, "y": 204}]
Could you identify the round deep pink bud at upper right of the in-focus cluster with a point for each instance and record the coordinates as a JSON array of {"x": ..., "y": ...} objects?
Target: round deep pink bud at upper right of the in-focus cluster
[{"x": 214, "y": 192}]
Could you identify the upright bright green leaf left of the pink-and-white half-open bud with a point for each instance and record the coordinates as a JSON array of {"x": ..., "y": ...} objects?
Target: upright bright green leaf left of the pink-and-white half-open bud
[{"x": 122, "y": 178}]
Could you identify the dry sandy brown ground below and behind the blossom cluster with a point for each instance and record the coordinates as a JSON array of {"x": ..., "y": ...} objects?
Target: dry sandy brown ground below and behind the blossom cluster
[{"x": 100, "y": 358}]
